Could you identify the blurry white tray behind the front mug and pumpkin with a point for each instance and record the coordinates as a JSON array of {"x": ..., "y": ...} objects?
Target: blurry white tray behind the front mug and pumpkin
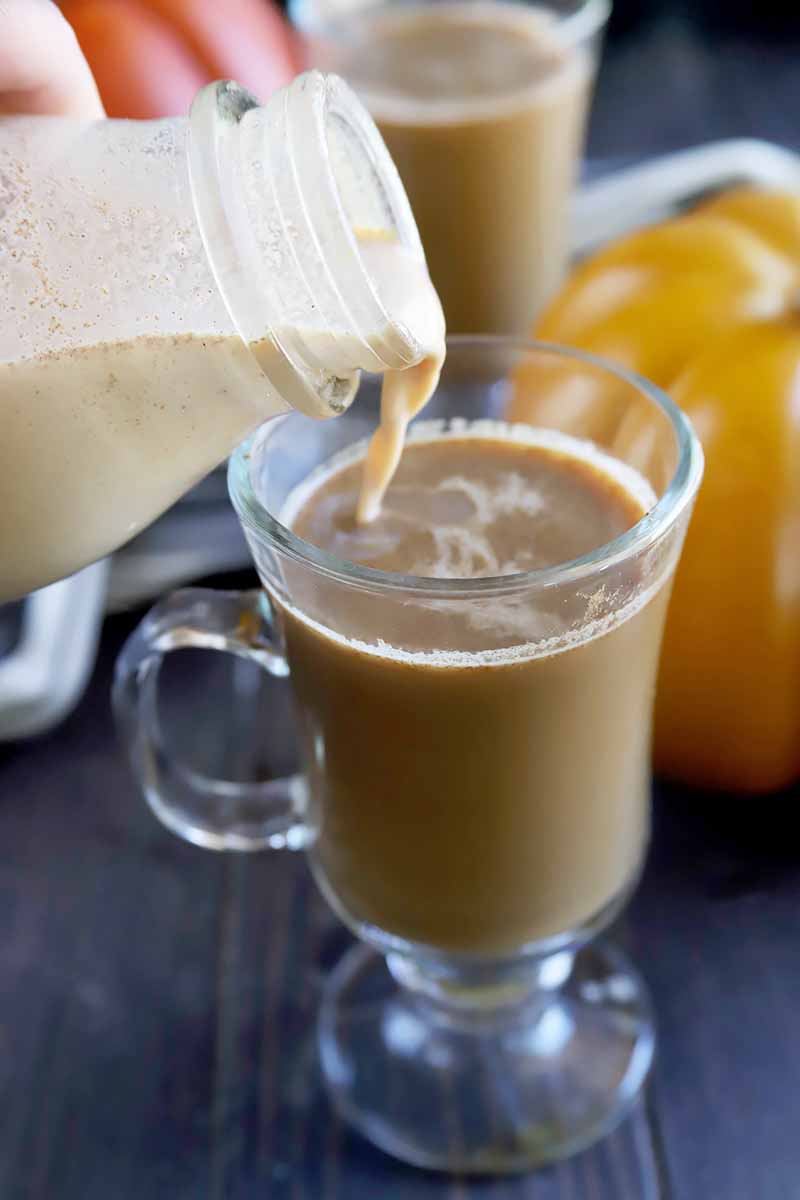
[{"x": 45, "y": 676}]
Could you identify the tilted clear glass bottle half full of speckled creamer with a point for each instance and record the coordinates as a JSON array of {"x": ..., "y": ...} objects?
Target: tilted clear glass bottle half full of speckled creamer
[{"x": 169, "y": 286}]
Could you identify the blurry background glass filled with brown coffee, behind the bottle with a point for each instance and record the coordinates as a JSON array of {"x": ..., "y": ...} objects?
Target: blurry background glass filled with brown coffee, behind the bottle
[{"x": 483, "y": 111}]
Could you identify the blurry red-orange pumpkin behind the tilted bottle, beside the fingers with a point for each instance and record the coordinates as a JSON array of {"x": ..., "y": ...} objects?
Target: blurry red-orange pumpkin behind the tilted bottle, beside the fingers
[{"x": 152, "y": 57}]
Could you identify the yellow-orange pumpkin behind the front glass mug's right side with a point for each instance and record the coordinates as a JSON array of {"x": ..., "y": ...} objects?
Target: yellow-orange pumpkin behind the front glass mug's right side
[{"x": 707, "y": 307}]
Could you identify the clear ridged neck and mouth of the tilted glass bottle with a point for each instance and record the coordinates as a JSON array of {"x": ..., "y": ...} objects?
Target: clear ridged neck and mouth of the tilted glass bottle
[{"x": 288, "y": 200}]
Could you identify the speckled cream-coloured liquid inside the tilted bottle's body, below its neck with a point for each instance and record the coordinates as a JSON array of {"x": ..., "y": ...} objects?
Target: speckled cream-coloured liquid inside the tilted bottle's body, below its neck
[{"x": 98, "y": 442}]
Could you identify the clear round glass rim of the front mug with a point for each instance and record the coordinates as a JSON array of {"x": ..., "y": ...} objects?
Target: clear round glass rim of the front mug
[{"x": 257, "y": 519}]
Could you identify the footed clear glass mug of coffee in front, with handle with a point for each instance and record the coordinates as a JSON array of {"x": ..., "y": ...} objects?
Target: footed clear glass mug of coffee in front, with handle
[{"x": 476, "y": 819}]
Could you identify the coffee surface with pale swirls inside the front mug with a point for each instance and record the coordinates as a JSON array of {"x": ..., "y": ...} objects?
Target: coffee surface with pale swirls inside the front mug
[{"x": 474, "y": 502}]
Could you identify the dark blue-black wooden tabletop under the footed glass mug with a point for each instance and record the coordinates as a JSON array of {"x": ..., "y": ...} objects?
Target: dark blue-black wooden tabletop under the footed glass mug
[{"x": 158, "y": 1003}]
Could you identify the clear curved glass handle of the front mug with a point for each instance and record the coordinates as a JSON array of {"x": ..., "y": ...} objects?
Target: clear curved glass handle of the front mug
[{"x": 218, "y": 814}]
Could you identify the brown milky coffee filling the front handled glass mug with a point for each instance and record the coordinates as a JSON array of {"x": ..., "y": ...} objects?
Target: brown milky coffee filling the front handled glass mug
[{"x": 479, "y": 770}]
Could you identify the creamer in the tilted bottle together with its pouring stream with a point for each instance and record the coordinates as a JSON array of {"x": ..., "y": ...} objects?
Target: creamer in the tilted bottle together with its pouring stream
[{"x": 100, "y": 440}]
